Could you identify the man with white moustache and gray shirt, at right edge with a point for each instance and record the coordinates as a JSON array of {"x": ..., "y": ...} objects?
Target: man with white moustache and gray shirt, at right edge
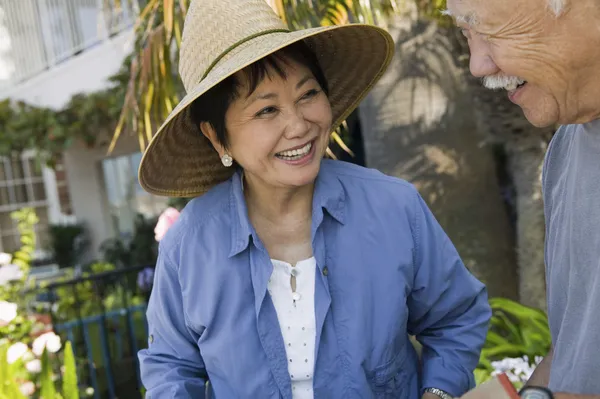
[{"x": 546, "y": 54}]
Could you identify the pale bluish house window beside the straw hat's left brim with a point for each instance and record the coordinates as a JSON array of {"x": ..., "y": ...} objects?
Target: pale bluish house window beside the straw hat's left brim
[{"x": 126, "y": 197}]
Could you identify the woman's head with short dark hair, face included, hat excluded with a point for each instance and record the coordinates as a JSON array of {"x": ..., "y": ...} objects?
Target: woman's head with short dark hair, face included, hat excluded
[{"x": 262, "y": 98}]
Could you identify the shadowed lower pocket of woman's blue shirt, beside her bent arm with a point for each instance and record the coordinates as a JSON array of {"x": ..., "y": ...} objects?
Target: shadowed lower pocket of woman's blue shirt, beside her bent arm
[{"x": 390, "y": 380}]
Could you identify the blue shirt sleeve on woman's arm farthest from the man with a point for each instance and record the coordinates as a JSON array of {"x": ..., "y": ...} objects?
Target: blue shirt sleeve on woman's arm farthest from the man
[{"x": 171, "y": 366}]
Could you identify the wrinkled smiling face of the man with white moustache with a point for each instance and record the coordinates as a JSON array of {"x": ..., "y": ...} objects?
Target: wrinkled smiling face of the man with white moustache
[{"x": 541, "y": 60}]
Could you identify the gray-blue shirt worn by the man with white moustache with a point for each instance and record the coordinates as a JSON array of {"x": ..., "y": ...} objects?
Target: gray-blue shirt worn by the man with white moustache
[{"x": 571, "y": 185}]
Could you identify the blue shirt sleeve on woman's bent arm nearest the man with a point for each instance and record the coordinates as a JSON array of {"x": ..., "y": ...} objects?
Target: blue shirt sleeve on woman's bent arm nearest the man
[{"x": 448, "y": 308}]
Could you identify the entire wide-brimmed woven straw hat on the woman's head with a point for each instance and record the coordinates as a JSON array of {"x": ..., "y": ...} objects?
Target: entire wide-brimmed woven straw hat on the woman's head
[{"x": 221, "y": 37}]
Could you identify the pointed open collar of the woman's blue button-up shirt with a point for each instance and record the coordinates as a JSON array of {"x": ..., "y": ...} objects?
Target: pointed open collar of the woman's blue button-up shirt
[{"x": 329, "y": 195}]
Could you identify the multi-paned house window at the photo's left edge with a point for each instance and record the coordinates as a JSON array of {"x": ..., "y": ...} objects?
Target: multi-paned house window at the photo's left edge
[{"x": 21, "y": 185}]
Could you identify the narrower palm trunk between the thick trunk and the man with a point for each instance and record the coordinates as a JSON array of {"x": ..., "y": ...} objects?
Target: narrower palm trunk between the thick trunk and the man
[{"x": 524, "y": 146}]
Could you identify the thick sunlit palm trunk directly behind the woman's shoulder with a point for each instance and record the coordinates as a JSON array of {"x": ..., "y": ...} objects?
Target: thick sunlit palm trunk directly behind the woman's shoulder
[{"x": 418, "y": 124}]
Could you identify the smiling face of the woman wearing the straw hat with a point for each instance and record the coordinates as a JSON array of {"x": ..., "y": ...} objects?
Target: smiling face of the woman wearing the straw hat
[{"x": 279, "y": 133}]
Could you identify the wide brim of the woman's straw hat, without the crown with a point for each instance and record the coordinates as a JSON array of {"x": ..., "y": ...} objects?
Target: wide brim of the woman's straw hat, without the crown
[{"x": 181, "y": 162}]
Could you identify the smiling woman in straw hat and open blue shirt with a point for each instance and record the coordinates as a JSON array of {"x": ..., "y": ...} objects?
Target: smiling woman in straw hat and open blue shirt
[{"x": 290, "y": 275}]
